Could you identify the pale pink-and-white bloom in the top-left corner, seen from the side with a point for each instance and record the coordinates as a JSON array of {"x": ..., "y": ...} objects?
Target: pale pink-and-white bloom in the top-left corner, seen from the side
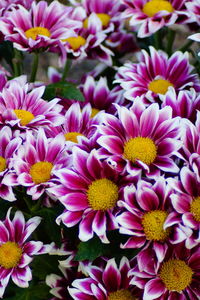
[{"x": 42, "y": 27}]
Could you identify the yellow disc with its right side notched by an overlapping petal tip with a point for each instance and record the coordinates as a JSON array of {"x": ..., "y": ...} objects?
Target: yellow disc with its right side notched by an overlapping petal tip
[{"x": 152, "y": 223}]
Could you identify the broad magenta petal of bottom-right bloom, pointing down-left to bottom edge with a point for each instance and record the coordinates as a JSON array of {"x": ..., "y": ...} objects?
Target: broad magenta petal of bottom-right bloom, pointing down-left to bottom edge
[{"x": 153, "y": 289}]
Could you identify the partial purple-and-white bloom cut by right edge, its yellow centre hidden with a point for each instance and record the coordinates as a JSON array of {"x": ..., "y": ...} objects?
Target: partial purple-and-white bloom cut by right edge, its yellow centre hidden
[{"x": 191, "y": 144}]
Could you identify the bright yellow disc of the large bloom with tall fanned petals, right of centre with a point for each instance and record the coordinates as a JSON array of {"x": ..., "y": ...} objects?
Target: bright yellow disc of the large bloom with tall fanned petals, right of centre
[{"x": 140, "y": 148}]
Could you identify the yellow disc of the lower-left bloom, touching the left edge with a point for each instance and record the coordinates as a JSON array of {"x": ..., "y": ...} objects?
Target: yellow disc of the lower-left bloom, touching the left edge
[{"x": 10, "y": 254}]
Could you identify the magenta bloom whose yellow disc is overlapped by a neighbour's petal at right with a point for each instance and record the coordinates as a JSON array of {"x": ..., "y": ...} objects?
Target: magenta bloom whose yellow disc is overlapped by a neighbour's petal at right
[{"x": 147, "y": 209}]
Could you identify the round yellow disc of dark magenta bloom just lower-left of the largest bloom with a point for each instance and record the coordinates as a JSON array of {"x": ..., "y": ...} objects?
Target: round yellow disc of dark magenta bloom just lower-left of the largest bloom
[{"x": 102, "y": 194}]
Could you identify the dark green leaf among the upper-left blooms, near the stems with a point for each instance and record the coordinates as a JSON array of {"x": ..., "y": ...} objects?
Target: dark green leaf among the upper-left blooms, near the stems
[{"x": 65, "y": 90}]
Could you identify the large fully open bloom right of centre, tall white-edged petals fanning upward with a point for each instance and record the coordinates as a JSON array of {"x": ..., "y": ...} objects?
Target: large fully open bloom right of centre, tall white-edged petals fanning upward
[{"x": 140, "y": 139}]
